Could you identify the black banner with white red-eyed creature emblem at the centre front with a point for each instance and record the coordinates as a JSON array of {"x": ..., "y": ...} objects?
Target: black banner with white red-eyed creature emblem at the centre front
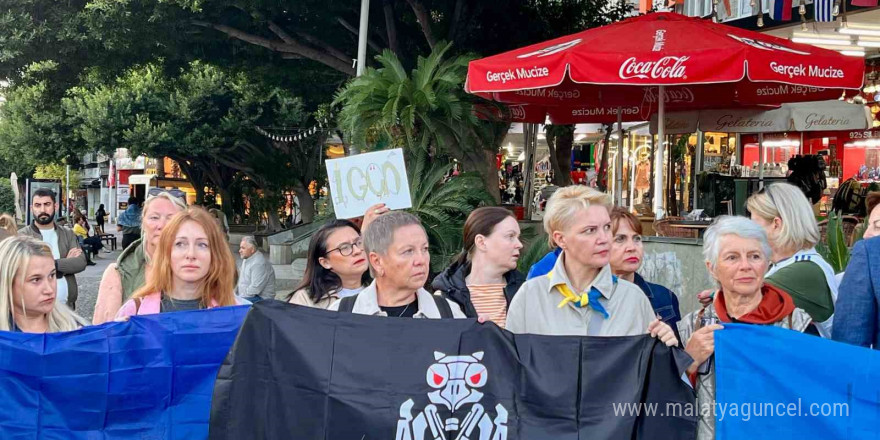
[{"x": 300, "y": 373}]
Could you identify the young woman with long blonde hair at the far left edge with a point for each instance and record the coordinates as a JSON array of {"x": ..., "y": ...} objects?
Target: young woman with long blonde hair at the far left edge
[{"x": 28, "y": 289}]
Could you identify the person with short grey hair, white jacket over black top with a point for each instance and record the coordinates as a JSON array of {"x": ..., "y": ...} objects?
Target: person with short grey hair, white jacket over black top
[{"x": 397, "y": 250}]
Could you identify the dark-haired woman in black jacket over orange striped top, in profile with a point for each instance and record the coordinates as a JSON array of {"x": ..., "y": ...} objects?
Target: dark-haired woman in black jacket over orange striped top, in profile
[{"x": 484, "y": 278}]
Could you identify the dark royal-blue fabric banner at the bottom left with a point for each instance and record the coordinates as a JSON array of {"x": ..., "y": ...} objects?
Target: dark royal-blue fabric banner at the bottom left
[{"x": 149, "y": 378}]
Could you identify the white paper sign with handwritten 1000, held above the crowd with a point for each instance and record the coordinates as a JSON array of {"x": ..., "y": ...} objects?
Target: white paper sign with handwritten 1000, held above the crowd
[{"x": 358, "y": 182}]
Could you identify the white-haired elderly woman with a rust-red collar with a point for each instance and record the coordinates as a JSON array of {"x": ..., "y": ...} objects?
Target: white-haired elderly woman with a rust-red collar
[{"x": 737, "y": 255}]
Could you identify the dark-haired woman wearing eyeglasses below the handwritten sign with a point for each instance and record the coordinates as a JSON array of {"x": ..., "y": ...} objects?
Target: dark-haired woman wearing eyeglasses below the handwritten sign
[{"x": 336, "y": 267}]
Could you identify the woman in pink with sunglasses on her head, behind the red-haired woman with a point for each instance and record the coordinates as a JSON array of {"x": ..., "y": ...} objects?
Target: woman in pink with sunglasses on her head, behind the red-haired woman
[{"x": 120, "y": 280}]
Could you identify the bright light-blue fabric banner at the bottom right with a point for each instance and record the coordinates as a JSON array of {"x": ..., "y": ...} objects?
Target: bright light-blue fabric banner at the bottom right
[{"x": 779, "y": 384}]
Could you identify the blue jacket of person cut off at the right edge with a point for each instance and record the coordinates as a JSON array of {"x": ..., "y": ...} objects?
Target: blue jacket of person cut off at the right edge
[{"x": 856, "y": 313}]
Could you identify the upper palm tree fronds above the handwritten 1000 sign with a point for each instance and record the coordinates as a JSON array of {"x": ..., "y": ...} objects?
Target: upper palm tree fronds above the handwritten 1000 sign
[{"x": 426, "y": 109}]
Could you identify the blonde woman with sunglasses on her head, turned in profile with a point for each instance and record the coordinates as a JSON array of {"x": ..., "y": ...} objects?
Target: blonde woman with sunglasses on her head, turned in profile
[{"x": 787, "y": 217}]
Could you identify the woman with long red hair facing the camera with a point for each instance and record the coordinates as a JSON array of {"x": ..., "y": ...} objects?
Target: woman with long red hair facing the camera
[{"x": 192, "y": 269}]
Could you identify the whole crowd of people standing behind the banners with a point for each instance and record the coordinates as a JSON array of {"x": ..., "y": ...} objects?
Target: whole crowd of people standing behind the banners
[{"x": 765, "y": 266}]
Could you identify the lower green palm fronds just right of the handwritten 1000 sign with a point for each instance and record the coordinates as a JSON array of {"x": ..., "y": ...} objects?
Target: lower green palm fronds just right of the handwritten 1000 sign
[{"x": 443, "y": 204}]
